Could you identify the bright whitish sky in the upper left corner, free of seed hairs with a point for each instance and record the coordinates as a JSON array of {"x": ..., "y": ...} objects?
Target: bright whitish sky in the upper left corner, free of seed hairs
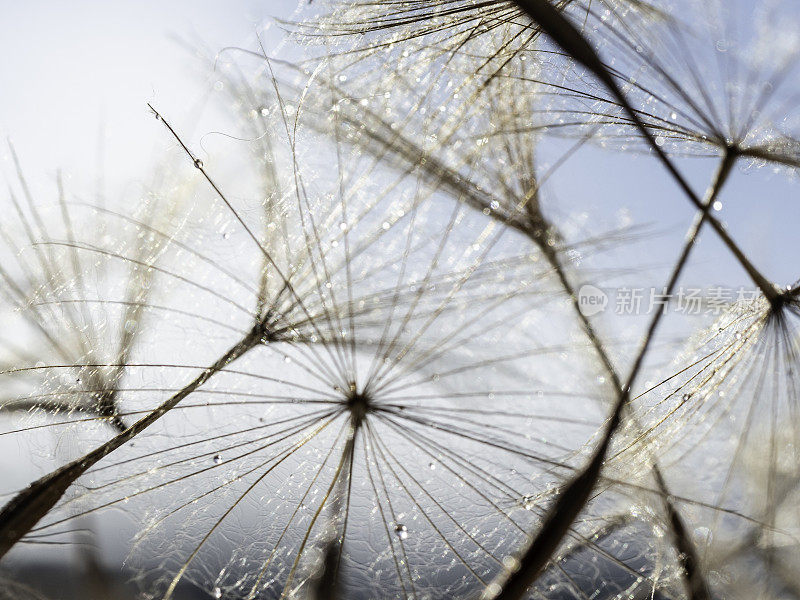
[{"x": 70, "y": 68}]
